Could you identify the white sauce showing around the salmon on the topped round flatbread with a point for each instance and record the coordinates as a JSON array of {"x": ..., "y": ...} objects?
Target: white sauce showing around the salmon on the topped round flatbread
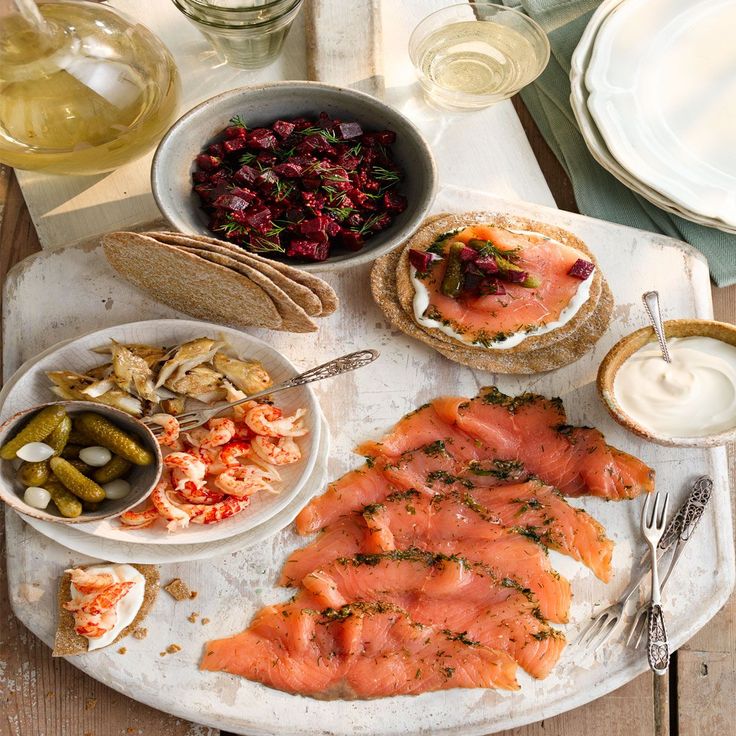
[{"x": 421, "y": 302}]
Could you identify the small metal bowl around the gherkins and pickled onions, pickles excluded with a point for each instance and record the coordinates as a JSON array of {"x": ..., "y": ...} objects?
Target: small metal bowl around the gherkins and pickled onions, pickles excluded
[{"x": 142, "y": 479}]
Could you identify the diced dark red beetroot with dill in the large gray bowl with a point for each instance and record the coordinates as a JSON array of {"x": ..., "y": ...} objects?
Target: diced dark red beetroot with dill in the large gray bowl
[{"x": 301, "y": 188}]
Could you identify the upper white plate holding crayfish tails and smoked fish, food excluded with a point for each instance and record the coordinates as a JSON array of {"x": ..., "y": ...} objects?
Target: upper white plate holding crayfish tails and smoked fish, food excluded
[{"x": 29, "y": 386}]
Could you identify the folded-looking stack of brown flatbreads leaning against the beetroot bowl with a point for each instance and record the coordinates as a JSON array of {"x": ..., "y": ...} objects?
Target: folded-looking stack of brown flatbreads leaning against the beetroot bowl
[{"x": 216, "y": 281}]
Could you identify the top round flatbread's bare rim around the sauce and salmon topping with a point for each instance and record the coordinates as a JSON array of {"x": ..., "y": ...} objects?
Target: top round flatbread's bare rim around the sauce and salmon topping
[{"x": 430, "y": 231}]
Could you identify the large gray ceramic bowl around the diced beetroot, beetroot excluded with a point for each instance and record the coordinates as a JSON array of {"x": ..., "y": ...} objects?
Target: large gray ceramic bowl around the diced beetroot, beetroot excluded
[{"x": 171, "y": 173}]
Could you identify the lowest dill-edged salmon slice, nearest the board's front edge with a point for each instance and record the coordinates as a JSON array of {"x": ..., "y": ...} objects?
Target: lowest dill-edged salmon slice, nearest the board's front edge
[{"x": 357, "y": 651}]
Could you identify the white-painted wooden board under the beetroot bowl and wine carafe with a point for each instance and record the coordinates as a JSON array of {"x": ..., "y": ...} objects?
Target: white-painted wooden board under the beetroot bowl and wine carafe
[{"x": 494, "y": 153}]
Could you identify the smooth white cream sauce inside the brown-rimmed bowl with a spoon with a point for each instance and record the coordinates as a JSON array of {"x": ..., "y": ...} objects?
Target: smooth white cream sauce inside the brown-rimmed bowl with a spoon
[{"x": 693, "y": 396}]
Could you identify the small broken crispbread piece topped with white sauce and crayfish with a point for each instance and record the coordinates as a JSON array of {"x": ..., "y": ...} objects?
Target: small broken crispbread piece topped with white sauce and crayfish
[{"x": 101, "y": 604}]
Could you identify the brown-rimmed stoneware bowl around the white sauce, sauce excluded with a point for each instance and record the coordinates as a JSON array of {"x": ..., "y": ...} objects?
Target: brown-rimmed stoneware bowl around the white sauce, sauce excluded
[{"x": 628, "y": 345}]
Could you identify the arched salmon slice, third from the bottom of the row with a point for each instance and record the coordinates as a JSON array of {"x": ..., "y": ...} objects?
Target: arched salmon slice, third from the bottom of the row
[{"x": 442, "y": 524}]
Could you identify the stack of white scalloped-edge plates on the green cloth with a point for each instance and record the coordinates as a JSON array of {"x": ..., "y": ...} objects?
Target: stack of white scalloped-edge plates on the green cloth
[{"x": 654, "y": 93}]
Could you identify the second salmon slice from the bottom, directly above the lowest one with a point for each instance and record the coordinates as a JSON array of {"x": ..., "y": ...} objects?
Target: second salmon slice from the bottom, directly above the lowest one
[{"x": 450, "y": 592}]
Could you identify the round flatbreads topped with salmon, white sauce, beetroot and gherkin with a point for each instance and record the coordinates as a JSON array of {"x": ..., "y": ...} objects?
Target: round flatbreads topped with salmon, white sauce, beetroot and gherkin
[{"x": 495, "y": 292}]
